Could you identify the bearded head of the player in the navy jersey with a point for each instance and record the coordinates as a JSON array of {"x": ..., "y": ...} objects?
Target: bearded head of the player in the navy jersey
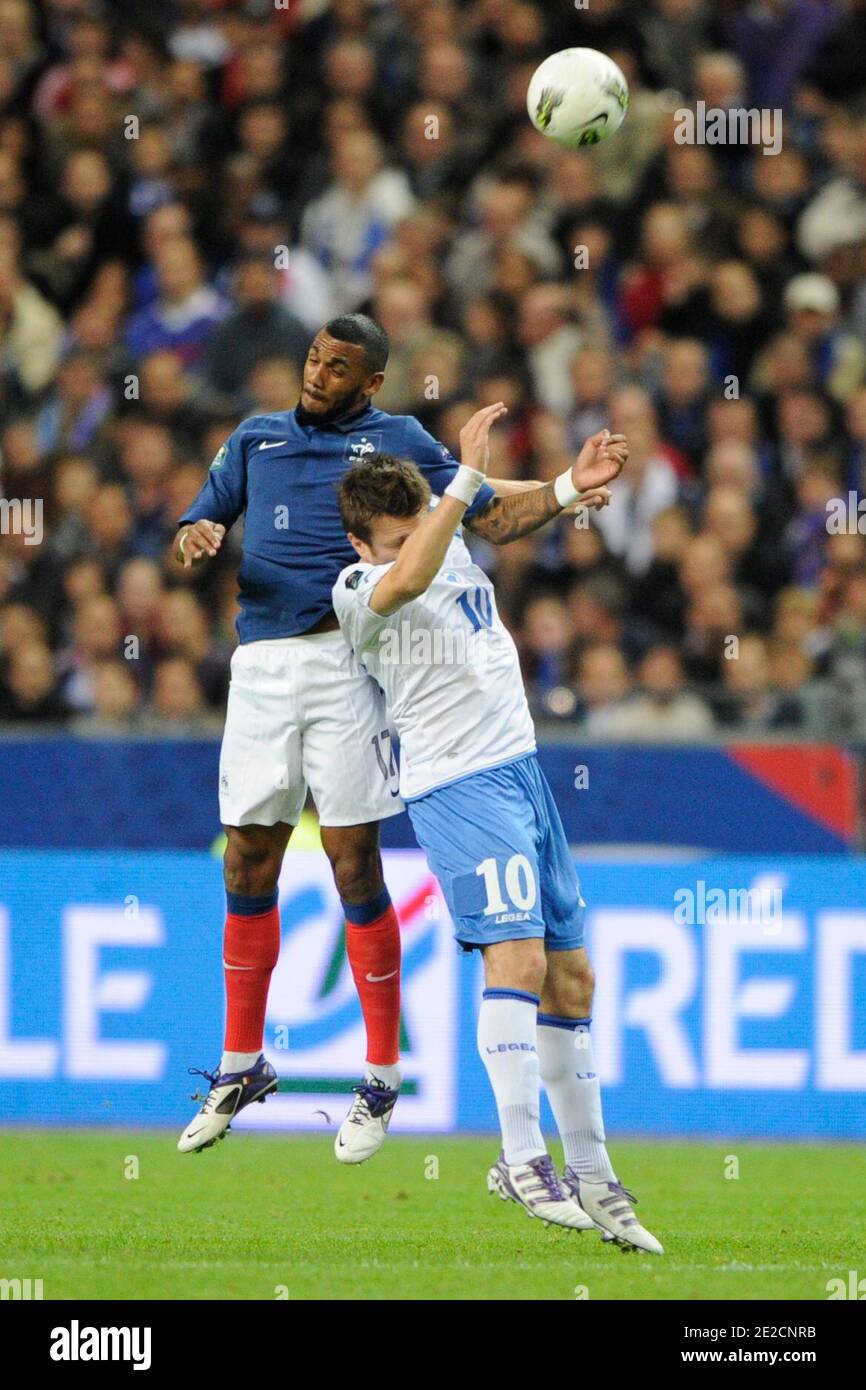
[{"x": 345, "y": 366}]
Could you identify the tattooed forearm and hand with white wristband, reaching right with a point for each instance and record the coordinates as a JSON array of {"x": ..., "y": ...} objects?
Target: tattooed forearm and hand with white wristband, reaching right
[{"x": 521, "y": 514}]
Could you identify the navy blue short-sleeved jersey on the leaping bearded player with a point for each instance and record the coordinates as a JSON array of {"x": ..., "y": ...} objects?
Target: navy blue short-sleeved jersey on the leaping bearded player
[{"x": 283, "y": 476}]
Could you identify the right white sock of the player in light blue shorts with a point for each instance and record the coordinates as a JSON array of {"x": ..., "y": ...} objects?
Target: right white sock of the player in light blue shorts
[{"x": 568, "y": 1072}]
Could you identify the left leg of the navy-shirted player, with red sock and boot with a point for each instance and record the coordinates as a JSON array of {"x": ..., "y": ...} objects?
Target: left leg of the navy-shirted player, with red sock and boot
[{"x": 251, "y": 950}]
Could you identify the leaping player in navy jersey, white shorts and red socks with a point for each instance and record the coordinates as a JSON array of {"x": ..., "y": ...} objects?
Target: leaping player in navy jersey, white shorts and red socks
[{"x": 301, "y": 710}]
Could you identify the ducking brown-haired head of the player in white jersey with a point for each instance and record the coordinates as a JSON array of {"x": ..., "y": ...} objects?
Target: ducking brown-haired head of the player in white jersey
[{"x": 382, "y": 502}]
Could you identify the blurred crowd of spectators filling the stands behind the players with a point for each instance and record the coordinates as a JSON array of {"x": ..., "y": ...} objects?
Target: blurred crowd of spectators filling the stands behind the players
[{"x": 190, "y": 190}]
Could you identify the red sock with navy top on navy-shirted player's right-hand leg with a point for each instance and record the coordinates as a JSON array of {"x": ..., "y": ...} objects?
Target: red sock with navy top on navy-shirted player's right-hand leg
[{"x": 375, "y": 956}]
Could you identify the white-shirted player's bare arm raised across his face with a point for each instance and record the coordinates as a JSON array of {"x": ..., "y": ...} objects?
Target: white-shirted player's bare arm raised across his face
[{"x": 423, "y": 551}]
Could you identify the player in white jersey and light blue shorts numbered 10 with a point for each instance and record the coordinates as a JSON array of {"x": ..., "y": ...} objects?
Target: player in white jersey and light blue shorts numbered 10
[{"x": 422, "y": 618}]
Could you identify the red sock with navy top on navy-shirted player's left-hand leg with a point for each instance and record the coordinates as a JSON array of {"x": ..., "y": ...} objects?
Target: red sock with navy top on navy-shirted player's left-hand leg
[{"x": 250, "y": 954}]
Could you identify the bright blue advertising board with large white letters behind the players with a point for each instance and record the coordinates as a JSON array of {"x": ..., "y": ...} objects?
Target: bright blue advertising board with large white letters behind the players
[{"x": 730, "y": 996}]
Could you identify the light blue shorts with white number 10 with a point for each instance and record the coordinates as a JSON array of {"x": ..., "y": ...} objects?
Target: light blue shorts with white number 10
[{"x": 498, "y": 849}]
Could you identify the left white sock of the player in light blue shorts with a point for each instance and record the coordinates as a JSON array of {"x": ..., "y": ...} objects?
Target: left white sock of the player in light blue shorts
[{"x": 507, "y": 1045}]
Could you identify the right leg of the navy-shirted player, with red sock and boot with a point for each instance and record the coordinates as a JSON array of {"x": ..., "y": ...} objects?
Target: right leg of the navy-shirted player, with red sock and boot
[{"x": 373, "y": 947}]
